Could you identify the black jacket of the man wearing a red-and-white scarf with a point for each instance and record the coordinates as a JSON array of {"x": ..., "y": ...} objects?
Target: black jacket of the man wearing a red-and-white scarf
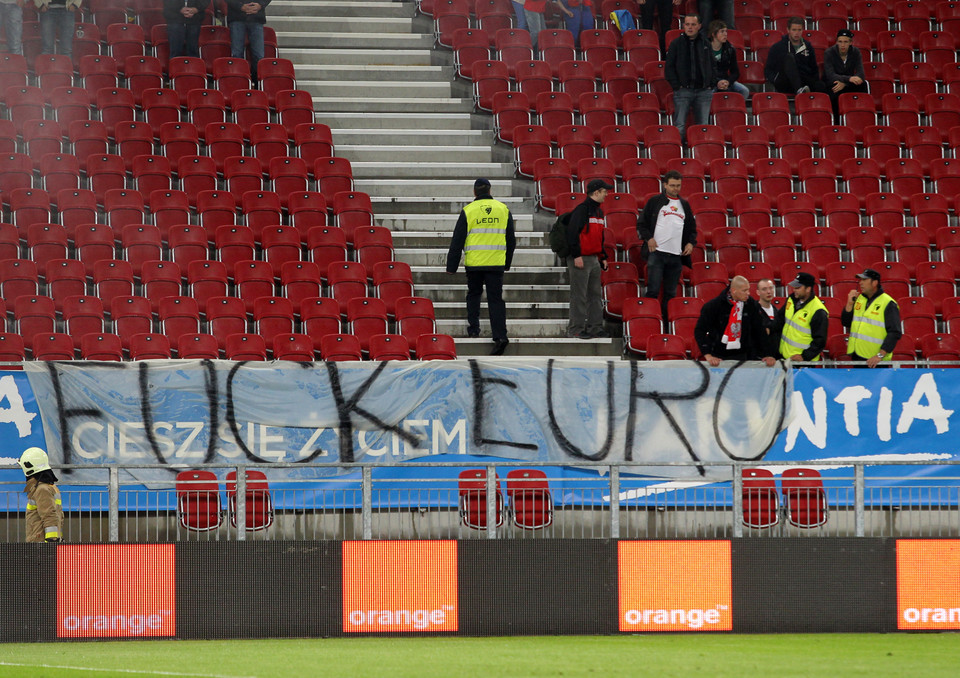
[{"x": 713, "y": 321}]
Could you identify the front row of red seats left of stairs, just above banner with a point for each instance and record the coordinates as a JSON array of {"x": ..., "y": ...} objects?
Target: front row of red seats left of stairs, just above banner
[{"x": 289, "y": 346}]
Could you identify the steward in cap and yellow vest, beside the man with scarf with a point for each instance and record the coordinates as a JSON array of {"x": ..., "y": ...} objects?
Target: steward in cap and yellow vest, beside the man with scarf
[{"x": 803, "y": 321}]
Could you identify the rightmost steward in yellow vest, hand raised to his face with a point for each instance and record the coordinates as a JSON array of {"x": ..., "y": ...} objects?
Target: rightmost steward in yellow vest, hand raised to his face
[{"x": 874, "y": 321}]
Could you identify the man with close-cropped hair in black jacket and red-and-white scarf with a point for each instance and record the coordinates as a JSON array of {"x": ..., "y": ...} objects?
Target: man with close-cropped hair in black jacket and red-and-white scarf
[{"x": 730, "y": 326}]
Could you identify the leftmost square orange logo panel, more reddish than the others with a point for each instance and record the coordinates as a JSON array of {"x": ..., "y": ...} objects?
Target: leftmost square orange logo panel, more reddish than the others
[{"x": 116, "y": 591}]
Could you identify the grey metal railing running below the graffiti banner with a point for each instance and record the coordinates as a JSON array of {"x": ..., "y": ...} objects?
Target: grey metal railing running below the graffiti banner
[{"x": 589, "y": 501}]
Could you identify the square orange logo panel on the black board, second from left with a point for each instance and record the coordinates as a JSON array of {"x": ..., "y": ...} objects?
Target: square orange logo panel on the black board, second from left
[{"x": 399, "y": 586}]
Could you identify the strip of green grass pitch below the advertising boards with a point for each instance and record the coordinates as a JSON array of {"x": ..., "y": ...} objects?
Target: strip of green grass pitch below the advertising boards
[{"x": 707, "y": 655}]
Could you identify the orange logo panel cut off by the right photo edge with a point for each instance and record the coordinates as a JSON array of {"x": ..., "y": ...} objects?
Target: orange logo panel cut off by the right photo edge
[{"x": 928, "y": 588}]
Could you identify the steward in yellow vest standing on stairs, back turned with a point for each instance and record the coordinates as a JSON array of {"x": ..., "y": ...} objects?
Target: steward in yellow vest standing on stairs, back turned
[{"x": 484, "y": 234}]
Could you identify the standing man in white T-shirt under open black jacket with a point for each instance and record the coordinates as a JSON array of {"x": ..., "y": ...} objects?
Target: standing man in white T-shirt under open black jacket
[{"x": 668, "y": 229}]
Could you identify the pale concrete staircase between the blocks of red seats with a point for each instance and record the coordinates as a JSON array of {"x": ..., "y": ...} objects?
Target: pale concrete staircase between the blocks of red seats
[{"x": 409, "y": 129}]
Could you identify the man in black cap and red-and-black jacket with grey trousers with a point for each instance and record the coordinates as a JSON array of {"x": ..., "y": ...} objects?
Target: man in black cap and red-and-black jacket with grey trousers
[{"x": 585, "y": 259}]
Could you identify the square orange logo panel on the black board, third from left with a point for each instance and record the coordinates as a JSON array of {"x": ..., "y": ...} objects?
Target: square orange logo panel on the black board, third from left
[{"x": 675, "y": 586}]
